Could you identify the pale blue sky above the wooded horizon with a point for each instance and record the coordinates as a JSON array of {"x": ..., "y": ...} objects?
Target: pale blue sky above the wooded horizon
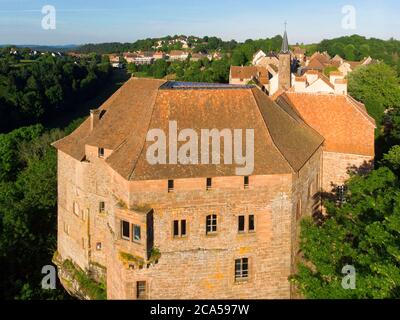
[{"x": 94, "y": 21}]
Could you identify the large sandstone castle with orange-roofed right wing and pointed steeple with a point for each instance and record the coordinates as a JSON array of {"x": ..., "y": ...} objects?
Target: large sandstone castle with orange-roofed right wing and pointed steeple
[{"x": 199, "y": 231}]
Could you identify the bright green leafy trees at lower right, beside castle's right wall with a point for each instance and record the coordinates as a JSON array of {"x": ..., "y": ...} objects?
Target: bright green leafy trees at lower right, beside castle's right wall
[{"x": 364, "y": 233}]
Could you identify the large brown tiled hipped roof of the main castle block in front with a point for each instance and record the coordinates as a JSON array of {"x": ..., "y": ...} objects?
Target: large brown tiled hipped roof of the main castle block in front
[{"x": 283, "y": 144}]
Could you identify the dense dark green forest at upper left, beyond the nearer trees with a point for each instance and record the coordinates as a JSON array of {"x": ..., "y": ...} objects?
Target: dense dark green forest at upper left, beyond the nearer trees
[{"x": 33, "y": 92}]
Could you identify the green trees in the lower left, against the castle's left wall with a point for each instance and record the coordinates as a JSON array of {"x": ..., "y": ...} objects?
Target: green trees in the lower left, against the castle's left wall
[{"x": 28, "y": 193}]
